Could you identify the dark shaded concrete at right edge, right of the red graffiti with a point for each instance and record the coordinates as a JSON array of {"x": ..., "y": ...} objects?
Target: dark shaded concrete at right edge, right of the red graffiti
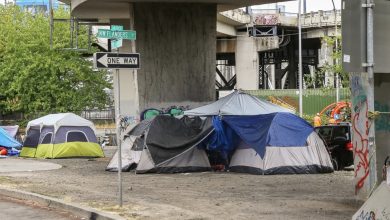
[{"x": 382, "y": 123}]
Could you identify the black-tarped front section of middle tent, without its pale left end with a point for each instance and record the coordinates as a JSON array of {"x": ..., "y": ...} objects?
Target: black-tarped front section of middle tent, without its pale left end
[{"x": 172, "y": 145}]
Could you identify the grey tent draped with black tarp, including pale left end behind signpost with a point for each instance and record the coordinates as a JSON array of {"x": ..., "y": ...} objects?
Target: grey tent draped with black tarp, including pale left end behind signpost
[{"x": 164, "y": 144}]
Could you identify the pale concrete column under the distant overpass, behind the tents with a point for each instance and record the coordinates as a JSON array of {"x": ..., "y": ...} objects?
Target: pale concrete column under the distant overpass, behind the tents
[{"x": 247, "y": 63}]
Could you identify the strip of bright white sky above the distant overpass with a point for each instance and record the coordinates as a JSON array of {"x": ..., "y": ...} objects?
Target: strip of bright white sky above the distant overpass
[{"x": 311, "y": 5}]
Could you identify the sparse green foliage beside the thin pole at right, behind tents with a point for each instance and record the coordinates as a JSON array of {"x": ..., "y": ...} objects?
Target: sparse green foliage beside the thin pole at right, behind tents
[{"x": 319, "y": 80}]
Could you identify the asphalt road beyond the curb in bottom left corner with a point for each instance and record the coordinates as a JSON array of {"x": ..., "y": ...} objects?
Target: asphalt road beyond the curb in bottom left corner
[{"x": 11, "y": 209}]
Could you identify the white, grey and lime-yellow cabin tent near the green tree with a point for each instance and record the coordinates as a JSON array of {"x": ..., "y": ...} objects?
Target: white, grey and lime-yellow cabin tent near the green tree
[{"x": 61, "y": 135}]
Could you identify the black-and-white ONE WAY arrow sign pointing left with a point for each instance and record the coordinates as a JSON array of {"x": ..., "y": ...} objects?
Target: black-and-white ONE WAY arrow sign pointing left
[{"x": 117, "y": 60}]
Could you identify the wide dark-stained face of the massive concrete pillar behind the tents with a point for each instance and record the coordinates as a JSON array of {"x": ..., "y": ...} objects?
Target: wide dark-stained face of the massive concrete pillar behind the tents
[{"x": 177, "y": 43}]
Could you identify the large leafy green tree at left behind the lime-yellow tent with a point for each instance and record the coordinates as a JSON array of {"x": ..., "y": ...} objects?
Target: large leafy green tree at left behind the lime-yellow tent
[{"x": 35, "y": 79}]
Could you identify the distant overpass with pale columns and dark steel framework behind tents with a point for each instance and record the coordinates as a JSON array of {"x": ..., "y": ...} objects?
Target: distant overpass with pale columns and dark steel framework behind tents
[{"x": 263, "y": 53}]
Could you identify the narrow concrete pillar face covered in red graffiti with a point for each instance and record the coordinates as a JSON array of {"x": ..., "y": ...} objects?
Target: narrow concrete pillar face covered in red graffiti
[{"x": 361, "y": 125}]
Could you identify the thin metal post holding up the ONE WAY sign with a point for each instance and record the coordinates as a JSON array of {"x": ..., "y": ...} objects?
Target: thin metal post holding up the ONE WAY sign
[{"x": 118, "y": 136}]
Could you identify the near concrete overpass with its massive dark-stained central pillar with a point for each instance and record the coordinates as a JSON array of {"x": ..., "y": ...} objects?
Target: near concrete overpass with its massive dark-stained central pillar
[{"x": 176, "y": 40}]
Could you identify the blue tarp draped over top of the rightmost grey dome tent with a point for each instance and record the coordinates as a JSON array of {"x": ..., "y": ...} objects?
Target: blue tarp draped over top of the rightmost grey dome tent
[{"x": 276, "y": 129}]
